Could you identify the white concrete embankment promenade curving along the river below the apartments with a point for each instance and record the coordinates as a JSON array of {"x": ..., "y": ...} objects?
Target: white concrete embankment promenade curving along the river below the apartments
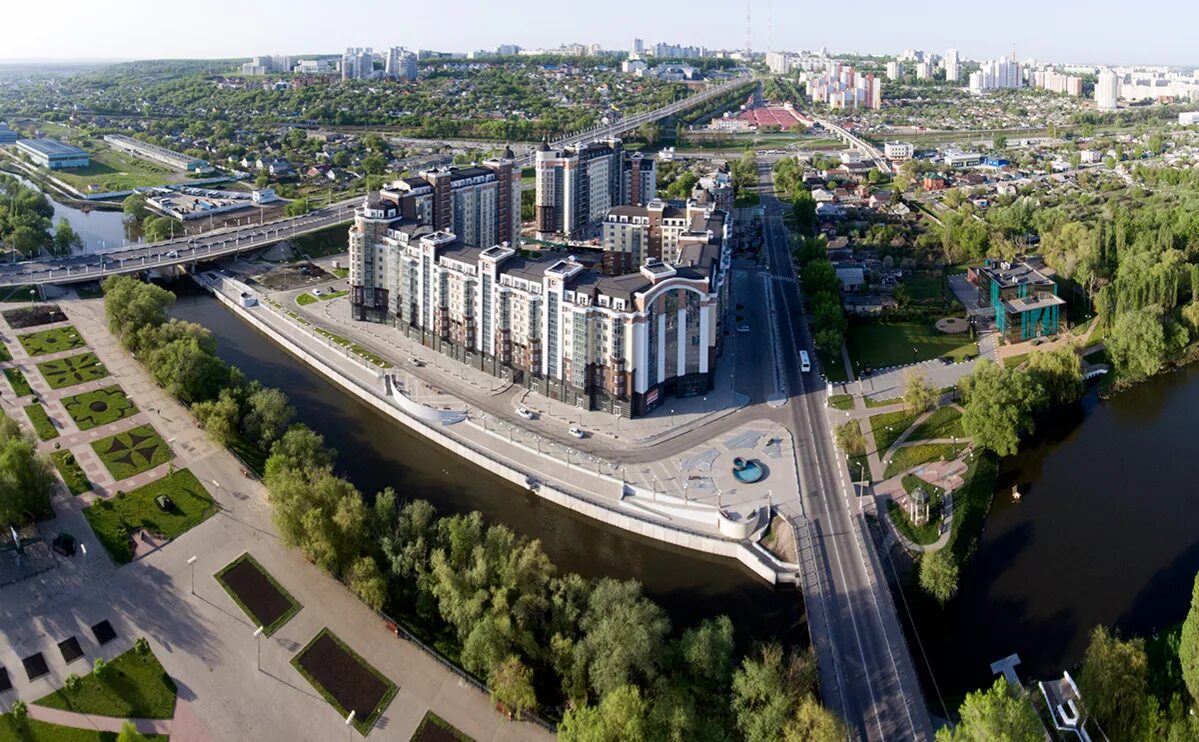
[{"x": 562, "y": 484}]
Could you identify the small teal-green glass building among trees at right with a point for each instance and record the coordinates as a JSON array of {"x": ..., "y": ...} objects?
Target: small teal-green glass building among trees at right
[{"x": 1023, "y": 295}]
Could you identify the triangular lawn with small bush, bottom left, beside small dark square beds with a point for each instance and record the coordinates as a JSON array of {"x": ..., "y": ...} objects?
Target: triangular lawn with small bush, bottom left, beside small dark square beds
[{"x": 135, "y": 686}]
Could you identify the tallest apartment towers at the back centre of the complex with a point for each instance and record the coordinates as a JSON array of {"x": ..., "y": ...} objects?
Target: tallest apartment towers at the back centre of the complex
[{"x": 579, "y": 185}]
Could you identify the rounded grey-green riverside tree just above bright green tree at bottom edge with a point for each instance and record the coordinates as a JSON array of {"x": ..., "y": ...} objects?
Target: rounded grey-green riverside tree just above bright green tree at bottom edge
[{"x": 623, "y": 634}]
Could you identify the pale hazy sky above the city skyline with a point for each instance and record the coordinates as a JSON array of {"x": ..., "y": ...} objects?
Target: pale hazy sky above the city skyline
[{"x": 1112, "y": 32}]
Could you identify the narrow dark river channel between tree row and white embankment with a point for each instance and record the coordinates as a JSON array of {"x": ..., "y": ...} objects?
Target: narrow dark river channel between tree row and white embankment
[{"x": 376, "y": 453}]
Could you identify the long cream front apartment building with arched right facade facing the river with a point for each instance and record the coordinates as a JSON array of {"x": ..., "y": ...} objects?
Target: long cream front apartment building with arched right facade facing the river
[{"x": 618, "y": 343}]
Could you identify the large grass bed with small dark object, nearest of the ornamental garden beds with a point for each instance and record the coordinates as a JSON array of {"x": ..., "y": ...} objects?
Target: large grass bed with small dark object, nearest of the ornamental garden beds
[{"x": 116, "y": 520}]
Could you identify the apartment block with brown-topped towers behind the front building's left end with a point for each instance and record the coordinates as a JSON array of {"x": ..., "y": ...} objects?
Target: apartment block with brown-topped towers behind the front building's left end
[{"x": 480, "y": 204}]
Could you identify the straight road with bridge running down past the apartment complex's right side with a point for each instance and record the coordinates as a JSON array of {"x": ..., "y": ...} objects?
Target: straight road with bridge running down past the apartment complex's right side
[{"x": 866, "y": 671}]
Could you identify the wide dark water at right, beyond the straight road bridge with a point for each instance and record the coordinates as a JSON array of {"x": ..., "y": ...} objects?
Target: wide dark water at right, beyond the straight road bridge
[{"x": 1105, "y": 533}]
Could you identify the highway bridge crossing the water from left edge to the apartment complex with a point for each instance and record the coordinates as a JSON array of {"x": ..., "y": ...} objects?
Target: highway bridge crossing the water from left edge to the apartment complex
[{"x": 208, "y": 246}]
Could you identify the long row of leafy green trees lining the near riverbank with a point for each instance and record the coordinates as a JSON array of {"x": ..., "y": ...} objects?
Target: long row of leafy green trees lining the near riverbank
[{"x": 598, "y": 650}]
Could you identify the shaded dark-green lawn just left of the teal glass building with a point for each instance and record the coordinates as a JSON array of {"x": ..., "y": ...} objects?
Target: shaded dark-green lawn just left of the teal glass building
[{"x": 883, "y": 345}]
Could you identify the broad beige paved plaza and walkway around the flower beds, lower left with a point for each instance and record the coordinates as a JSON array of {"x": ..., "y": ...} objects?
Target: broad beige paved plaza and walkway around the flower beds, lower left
[{"x": 204, "y": 641}]
